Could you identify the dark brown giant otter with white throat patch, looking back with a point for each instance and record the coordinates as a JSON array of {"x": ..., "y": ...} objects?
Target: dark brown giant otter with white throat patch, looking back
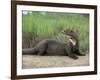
[{"x": 53, "y": 47}]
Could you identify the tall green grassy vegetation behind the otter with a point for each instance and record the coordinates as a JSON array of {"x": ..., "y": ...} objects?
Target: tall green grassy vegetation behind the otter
[{"x": 50, "y": 24}]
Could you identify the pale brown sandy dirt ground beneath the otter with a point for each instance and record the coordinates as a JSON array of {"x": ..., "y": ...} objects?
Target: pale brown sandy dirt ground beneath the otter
[{"x": 33, "y": 61}]
